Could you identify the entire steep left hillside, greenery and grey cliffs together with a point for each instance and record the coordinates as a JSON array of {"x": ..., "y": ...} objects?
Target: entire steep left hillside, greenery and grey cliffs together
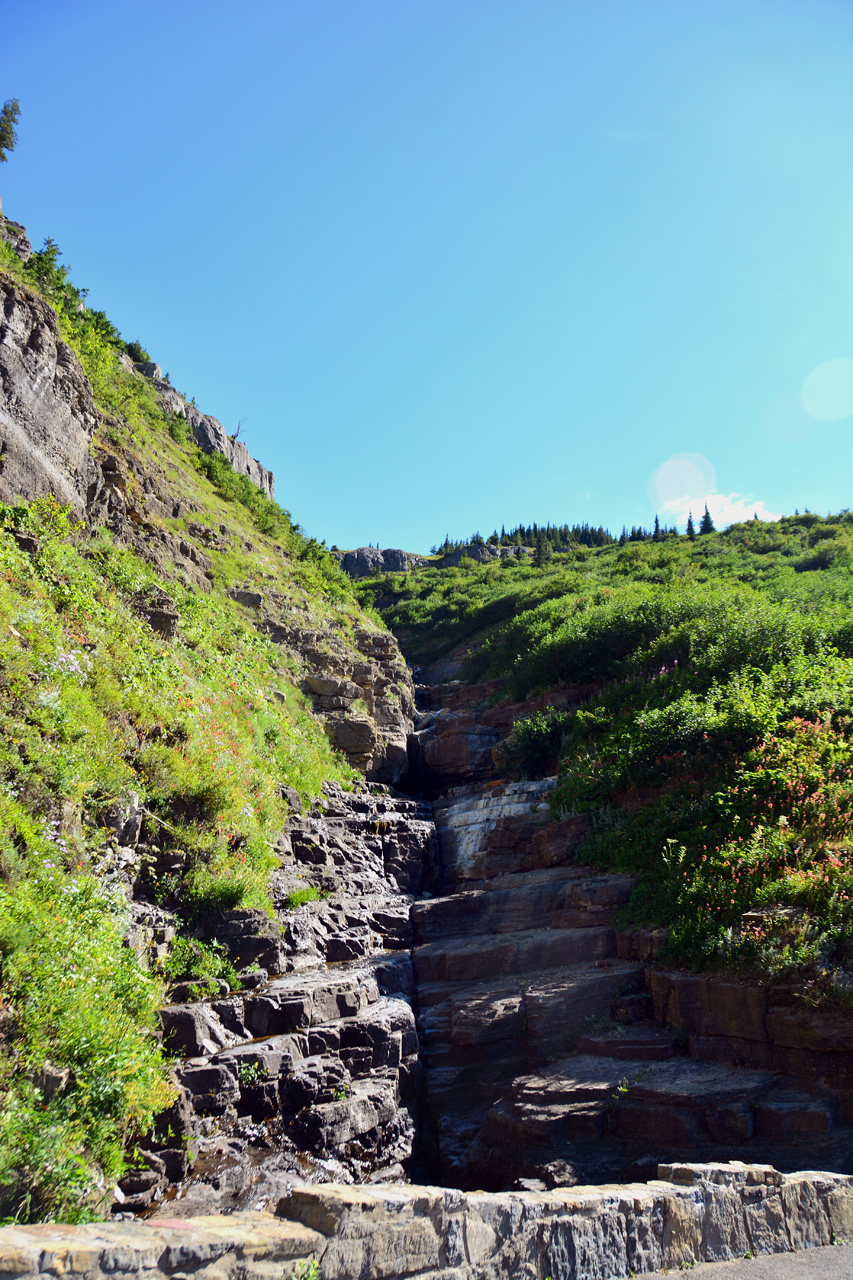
[{"x": 183, "y": 669}]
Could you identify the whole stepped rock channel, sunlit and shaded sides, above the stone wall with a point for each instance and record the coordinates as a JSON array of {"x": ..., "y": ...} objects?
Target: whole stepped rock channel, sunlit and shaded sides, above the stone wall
[{"x": 458, "y": 1007}]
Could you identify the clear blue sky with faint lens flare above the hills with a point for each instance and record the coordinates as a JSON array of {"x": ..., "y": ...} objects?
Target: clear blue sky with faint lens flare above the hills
[{"x": 462, "y": 263}]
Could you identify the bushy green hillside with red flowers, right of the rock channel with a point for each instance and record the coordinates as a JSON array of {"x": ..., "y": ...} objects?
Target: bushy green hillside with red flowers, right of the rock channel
[{"x": 711, "y": 751}]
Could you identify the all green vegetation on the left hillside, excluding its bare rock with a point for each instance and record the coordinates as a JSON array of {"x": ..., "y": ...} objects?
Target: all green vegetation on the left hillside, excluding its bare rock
[{"x": 102, "y": 716}]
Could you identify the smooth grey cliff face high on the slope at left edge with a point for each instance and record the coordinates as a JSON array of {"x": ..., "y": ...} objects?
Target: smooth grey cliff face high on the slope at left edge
[{"x": 47, "y": 409}]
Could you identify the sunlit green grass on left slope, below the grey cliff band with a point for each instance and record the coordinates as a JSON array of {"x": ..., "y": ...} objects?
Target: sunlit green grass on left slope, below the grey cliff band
[{"x": 97, "y": 710}]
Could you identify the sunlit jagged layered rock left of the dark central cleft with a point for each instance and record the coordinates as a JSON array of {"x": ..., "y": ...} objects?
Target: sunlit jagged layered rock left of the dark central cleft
[{"x": 313, "y": 1069}]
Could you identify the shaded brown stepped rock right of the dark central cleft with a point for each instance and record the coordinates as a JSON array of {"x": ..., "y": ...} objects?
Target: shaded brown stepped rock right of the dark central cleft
[{"x": 548, "y": 1059}]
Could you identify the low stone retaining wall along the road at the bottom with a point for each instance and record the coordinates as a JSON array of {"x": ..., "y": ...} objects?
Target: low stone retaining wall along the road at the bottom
[{"x": 695, "y": 1213}]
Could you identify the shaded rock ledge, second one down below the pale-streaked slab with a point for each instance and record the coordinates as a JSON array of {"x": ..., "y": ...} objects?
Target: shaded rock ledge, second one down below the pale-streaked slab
[{"x": 466, "y": 961}]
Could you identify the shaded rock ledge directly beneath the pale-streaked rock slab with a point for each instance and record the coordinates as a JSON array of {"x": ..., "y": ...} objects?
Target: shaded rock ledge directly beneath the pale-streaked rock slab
[{"x": 555, "y": 900}]
